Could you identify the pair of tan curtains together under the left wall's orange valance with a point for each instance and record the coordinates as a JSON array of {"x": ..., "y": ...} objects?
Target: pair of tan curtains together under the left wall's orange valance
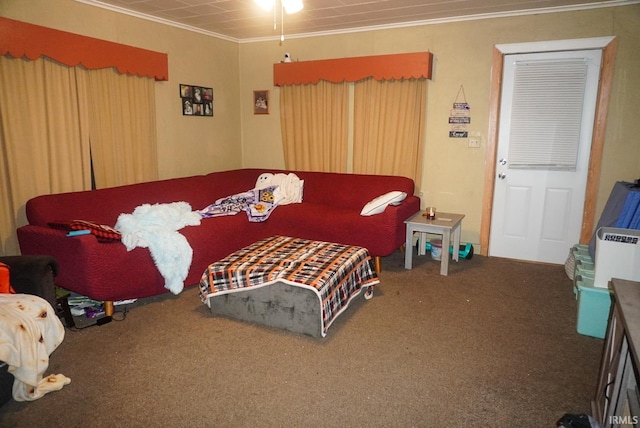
[{"x": 54, "y": 119}]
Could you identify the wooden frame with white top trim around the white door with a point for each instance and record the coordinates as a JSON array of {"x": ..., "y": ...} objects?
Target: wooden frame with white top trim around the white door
[{"x": 609, "y": 47}]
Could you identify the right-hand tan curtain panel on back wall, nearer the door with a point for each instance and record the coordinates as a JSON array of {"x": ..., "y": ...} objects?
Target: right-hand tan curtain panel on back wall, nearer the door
[{"x": 389, "y": 127}]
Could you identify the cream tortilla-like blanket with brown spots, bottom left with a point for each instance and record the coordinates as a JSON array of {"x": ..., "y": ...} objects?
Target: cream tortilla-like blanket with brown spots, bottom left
[{"x": 29, "y": 332}]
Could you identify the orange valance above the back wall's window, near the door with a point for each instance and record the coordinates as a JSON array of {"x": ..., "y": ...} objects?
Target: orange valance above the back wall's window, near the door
[{"x": 415, "y": 65}]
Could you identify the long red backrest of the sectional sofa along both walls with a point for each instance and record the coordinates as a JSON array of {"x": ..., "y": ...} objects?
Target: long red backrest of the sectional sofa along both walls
[{"x": 105, "y": 205}]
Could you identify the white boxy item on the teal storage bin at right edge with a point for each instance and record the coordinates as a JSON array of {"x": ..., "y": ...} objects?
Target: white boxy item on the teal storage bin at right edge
[{"x": 617, "y": 255}]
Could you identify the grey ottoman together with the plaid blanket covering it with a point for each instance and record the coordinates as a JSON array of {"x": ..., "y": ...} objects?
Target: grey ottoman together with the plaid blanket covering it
[{"x": 289, "y": 283}]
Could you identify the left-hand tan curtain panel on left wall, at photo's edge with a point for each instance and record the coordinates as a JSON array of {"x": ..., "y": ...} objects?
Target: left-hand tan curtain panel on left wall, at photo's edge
[{"x": 44, "y": 138}]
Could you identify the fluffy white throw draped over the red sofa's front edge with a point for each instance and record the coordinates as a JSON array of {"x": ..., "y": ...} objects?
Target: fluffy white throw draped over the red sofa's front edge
[{"x": 156, "y": 227}]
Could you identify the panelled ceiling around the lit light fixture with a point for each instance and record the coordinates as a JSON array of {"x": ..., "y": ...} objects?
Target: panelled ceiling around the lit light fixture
[{"x": 243, "y": 20}]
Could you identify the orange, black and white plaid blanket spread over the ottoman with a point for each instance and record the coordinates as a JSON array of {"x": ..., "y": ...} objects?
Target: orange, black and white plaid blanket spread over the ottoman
[{"x": 336, "y": 273}]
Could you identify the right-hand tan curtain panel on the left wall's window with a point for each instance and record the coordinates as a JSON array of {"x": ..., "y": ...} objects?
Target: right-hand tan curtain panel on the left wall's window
[{"x": 122, "y": 126}]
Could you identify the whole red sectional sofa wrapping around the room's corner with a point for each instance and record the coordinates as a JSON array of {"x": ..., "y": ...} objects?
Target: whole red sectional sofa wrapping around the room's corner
[{"x": 330, "y": 211}]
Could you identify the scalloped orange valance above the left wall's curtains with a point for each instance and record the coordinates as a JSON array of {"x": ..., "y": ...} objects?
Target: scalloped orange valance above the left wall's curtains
[{"x": 20, "y": 39}]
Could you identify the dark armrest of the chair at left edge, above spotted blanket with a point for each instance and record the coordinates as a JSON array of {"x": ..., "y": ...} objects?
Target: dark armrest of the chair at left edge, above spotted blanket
[{"x": 33, "y": 275}]
